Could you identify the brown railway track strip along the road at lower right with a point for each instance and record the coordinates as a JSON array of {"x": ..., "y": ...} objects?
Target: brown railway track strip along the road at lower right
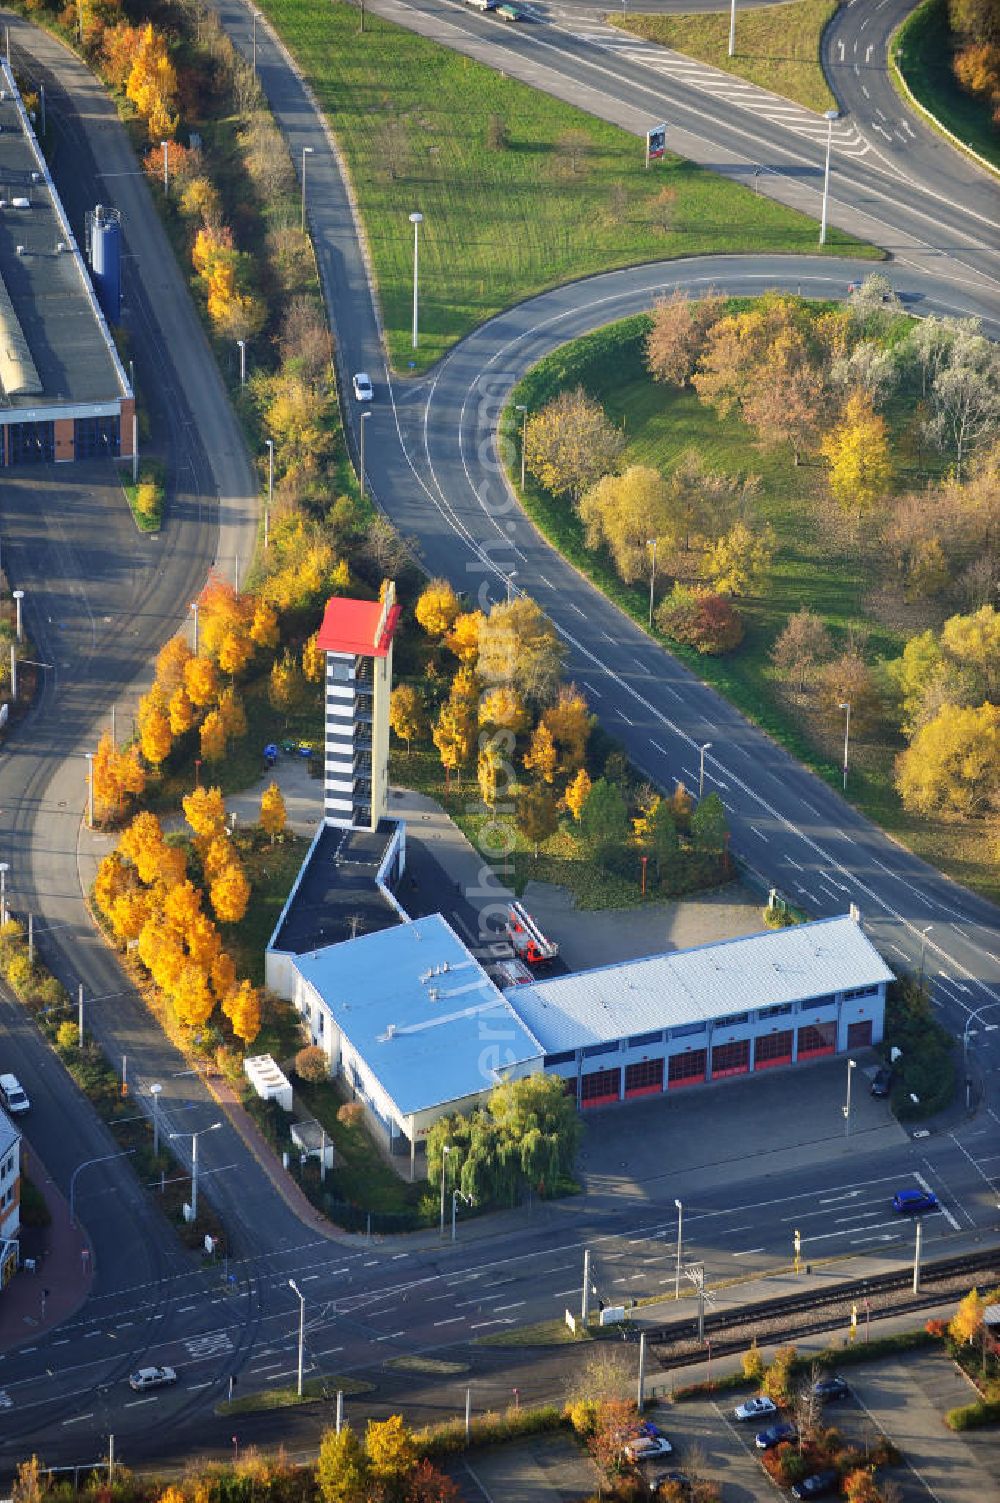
[{"x": 676, "y": 1343}]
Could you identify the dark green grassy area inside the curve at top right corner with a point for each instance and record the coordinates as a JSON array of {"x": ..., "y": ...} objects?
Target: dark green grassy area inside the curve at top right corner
[{"x": 923, "y": 55}]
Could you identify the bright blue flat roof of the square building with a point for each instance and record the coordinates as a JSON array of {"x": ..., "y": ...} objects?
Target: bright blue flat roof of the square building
[{"x": 420, "y": 1011}]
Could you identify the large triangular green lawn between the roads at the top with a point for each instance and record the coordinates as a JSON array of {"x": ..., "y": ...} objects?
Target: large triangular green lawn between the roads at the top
[{"x": 511, "y": 205}]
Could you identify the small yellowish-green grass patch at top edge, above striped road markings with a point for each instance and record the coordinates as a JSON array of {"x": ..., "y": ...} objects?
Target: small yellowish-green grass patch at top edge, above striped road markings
[{"x": 778, "y": 47}]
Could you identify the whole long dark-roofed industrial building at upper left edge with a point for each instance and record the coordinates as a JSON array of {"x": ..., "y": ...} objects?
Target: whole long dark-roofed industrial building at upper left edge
[{"x": 64, "y": 392}]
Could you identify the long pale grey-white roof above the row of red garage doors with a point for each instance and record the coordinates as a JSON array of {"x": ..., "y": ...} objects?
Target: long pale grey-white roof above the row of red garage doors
[{"x": 686, "y": 987}]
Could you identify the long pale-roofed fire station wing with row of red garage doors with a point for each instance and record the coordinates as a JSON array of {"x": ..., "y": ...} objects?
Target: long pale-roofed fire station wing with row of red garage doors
[{"x": 691, "y": 1017}]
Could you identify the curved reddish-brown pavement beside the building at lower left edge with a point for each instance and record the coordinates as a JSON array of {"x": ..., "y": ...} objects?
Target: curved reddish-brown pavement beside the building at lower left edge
[{"x": 37, "y": 1302}]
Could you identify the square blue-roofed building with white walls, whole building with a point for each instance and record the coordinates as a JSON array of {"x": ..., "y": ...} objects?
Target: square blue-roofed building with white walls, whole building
[{"x": 413, "y": 1024}]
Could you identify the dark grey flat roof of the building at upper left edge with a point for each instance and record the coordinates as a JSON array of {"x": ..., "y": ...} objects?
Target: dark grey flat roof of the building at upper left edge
[{"x": 67, "y": 339}]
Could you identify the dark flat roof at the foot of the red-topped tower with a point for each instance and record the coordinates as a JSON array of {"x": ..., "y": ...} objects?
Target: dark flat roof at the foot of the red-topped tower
[{"x": 338, "y": 897}]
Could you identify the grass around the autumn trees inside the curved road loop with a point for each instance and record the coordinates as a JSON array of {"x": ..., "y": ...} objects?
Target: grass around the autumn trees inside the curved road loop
[{"x": 816, "y": 566}]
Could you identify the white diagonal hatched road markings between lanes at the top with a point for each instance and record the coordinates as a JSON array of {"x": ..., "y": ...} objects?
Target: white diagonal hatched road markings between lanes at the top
[{"x": 847, "y": 138}]
